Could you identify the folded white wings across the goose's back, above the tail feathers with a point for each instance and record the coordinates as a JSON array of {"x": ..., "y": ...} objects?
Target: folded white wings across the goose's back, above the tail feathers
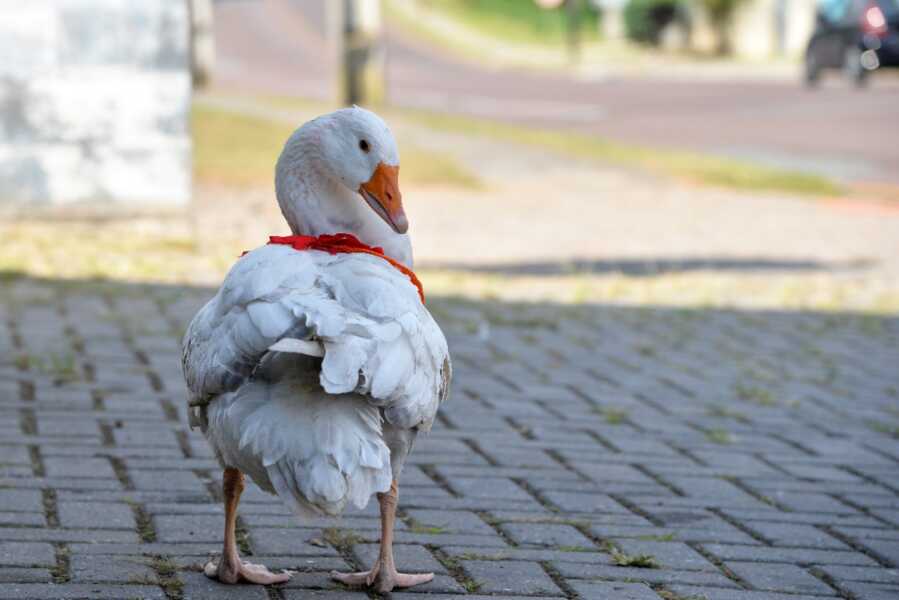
[{"x": 377, "y": 337}]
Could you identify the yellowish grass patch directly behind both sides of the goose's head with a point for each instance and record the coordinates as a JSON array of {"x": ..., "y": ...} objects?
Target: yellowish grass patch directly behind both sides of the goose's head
[{"x": 236, "y": 149}]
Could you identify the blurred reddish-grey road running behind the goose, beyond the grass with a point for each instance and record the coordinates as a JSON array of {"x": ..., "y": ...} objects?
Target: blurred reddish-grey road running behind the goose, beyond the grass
[{"x": 279, "y": 47}]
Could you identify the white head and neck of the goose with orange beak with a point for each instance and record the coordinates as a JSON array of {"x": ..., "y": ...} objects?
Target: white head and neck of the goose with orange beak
[{"x": 339, "y": 173}]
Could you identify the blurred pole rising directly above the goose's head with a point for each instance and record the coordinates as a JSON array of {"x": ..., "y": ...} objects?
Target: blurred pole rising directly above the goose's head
[{"x": 357, "y": 33}]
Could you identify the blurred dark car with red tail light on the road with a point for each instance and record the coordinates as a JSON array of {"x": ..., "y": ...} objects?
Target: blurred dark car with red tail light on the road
[{"x": 858, "y": 36}]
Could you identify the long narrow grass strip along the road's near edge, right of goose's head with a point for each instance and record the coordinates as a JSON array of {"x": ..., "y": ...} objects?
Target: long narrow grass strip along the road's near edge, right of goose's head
[{"x": 698, "y": 168}]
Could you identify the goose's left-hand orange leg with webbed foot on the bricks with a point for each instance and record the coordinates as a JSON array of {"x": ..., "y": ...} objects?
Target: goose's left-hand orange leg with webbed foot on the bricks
[{"x": 230, "y": 569}]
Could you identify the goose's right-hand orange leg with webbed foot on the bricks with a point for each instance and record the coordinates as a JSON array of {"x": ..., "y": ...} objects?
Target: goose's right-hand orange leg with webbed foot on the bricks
[{"x": 383, "y": 575}]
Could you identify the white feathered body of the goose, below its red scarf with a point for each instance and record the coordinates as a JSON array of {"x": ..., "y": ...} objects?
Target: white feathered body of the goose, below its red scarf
[{"x": 311, "y": 429}]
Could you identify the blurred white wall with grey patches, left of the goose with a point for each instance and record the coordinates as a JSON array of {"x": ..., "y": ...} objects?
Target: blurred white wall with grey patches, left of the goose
[{"x": 94, "y": 103}]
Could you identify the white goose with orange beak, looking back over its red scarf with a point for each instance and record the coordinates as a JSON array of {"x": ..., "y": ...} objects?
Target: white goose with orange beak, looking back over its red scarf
[{"x": 313, "y": 372}]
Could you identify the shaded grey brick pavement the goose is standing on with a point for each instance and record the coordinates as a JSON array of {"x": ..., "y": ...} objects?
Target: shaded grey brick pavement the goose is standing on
[{"x": 590, "y": 451}]
